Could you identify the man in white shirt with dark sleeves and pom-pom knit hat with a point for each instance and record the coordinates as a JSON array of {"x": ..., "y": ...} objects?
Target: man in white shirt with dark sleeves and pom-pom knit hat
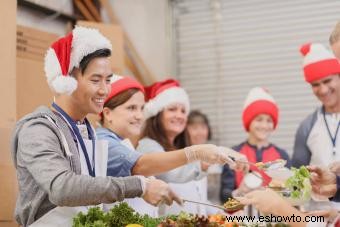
[{"x": 317, "y": 141}]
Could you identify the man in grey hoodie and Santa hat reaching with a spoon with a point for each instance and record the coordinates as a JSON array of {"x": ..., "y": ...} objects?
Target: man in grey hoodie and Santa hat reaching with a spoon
[{"x": 60, "y": 163}]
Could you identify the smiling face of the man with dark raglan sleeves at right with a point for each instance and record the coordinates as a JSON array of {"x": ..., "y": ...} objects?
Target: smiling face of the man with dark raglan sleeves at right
[{"x": 327, "y": 90}]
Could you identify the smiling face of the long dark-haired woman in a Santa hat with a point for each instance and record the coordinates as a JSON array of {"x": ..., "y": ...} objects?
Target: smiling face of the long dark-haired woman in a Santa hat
[{"x": 174, "y": 119}]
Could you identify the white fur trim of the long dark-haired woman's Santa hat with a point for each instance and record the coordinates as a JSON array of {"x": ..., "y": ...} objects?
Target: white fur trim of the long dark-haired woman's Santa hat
[{"x": 165, "y": 98}]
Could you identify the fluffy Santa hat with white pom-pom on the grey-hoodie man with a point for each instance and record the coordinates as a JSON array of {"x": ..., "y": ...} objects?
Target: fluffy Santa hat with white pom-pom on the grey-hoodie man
[{"x": 67, "y": 52}]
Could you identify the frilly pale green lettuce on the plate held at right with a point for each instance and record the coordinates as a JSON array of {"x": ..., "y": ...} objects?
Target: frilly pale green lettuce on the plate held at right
[{"x": 299, "y": 184}]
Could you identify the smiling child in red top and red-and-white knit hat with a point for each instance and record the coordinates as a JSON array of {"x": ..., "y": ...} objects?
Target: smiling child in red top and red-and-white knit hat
[{"x": 260, "y": 118}]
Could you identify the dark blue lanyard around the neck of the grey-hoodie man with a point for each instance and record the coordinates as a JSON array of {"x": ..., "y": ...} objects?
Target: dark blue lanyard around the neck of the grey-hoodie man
[{"x": 76, "y": 133}]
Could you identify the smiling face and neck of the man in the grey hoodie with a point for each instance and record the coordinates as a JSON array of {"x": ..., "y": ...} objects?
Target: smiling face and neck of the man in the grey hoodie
[{"x": 93, "y": 86}]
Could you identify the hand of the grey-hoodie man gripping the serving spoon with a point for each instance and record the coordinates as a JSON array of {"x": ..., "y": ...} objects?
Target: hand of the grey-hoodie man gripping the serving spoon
[{"x": 157, "y": 192}]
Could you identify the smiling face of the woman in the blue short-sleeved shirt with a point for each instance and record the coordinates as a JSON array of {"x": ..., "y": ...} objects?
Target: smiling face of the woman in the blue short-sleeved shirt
[{"x": 126, "y": 119}]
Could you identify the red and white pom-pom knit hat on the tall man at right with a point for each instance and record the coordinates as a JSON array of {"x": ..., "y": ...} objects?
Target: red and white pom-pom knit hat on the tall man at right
[{"x": 318, "y": 62}]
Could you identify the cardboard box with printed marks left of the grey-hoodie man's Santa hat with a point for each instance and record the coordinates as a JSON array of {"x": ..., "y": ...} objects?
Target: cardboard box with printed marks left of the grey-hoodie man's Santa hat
[{"x": 31, "y": 86}]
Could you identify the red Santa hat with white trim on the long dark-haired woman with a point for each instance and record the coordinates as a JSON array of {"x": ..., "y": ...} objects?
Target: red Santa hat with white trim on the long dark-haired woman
[{"x": 162, "y": 94}]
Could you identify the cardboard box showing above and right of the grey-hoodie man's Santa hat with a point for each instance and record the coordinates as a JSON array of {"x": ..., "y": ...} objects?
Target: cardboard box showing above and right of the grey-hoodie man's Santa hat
[{"x": 115, "y": 34}]
